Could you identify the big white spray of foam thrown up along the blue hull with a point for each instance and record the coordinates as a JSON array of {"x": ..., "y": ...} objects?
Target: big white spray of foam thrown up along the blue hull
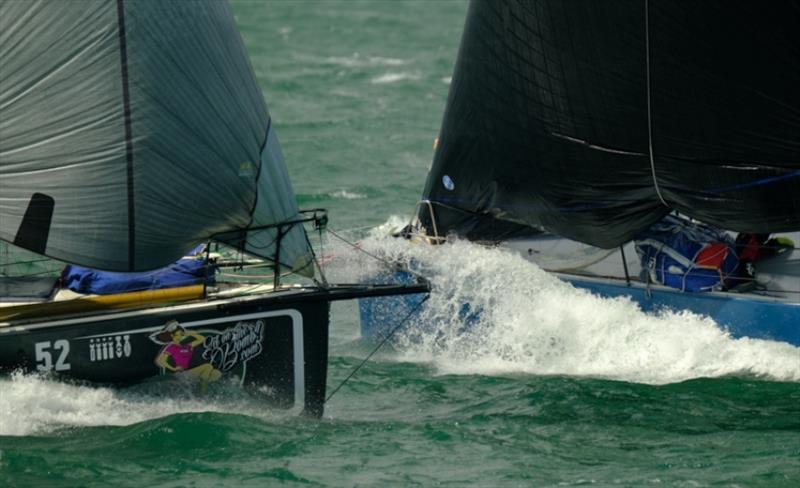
[{"x": 533, "y": 323}]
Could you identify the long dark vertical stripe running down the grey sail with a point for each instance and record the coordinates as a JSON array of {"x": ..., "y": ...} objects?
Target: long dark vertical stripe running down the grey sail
[{"x": 126, "y": 102}]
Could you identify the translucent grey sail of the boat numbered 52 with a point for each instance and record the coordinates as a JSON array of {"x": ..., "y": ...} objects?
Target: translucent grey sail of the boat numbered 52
[{"x": 131, "y": 130}]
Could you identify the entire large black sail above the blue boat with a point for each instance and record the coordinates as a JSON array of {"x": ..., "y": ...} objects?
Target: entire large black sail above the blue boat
[{"x": 594, "y": 119}]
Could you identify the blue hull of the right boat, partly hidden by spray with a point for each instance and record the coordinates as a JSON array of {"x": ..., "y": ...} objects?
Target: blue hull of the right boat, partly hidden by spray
[{"x": 742, "y": 315}]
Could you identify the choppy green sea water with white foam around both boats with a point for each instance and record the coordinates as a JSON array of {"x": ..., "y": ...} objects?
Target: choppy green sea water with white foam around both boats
[{"x": 559, "y": 389}]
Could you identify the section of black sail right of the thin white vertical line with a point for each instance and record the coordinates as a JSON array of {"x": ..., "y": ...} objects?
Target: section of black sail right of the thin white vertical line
[{"x": 726, "y": 112}]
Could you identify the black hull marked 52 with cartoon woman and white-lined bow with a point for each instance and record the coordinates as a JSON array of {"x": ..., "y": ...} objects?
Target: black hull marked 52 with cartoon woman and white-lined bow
[{"x": 277, "y": 346}]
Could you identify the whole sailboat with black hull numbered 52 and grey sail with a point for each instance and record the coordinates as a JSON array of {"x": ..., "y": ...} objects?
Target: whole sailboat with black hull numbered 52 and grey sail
[{"x": 131, "y": 131}]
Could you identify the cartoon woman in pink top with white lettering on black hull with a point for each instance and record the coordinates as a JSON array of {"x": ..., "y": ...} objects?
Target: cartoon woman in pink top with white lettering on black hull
[{"x": 206, "y": 355}]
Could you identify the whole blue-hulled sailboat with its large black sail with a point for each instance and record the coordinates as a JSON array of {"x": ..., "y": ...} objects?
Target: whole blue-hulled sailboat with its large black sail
[{"x": 597, "y": 138}]
